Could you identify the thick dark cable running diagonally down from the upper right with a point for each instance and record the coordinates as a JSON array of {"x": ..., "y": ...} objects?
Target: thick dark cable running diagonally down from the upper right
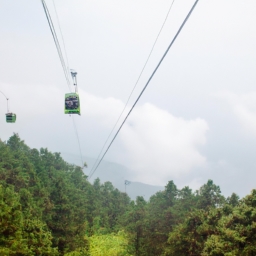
[{"x": 150, "y": 78}]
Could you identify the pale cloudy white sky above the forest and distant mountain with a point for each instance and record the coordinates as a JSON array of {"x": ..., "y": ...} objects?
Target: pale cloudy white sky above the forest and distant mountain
[{"x": 197, "y": 118}]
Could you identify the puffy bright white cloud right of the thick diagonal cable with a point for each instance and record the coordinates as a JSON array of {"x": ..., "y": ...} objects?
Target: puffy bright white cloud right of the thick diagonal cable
[{"x": 159, "y": 146}]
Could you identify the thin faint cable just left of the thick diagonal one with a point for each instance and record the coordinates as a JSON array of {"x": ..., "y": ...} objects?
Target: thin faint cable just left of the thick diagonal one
[{"x": 150, "y": 53}]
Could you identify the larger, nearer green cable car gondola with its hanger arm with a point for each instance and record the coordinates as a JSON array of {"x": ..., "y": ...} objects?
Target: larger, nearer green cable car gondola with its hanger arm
[{"x": 72, "y": 102}]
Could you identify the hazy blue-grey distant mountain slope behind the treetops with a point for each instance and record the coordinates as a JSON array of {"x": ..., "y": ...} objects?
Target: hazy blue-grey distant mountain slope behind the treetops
[{"x": 116, "y": 174}]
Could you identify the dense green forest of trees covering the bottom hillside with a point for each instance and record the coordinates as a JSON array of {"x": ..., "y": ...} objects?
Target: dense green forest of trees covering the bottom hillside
[{"x": 47, "y": 207}]
